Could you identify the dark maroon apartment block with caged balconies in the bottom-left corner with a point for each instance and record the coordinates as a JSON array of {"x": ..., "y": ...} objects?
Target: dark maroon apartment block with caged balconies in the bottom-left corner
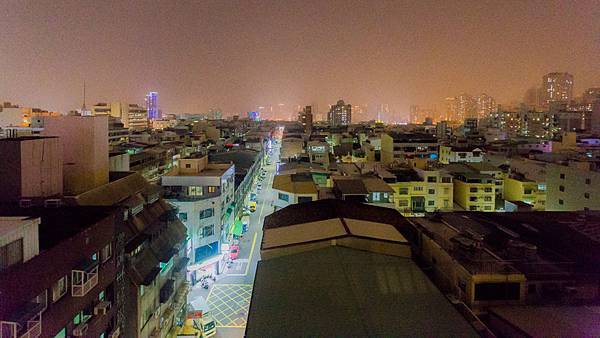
[{"x": 58, "y": 272}]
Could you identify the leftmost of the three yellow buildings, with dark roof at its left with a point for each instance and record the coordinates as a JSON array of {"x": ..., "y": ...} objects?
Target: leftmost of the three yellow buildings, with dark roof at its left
[{"x": 417, "y": 191}]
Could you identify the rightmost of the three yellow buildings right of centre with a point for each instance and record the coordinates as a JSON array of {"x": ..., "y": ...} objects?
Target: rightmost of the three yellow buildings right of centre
[{"x": 527, "y": 191}]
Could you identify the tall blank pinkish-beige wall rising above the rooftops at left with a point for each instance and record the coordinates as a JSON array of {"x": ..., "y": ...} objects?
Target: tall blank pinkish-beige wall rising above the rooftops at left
[{"x": 85, "y": 150}]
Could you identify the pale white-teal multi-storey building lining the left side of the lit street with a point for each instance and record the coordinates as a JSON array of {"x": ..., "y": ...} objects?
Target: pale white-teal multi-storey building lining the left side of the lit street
[{"x": 202, "y": 193}]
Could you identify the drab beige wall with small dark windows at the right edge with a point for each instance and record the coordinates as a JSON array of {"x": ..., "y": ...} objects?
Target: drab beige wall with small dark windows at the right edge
[{"x": 575, "y": 185}]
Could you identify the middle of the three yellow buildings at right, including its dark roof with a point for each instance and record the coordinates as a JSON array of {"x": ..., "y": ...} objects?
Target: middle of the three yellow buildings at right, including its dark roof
[{"x": 475, "y": 192}]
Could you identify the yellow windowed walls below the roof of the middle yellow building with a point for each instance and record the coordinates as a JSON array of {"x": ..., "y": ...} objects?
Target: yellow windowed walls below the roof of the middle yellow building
[{"x": 463, "y": 195}]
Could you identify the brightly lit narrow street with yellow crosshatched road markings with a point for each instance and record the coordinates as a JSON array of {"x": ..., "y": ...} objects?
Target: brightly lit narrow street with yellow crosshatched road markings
[{"x": 228, "y": 298}]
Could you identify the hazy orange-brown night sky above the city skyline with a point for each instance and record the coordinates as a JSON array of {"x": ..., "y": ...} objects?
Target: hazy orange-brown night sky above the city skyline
[{"x": 241, "y": 54}]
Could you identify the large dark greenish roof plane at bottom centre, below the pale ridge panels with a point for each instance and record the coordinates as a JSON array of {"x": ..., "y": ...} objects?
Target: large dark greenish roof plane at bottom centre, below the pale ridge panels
[{"x": 342, "y": 292}]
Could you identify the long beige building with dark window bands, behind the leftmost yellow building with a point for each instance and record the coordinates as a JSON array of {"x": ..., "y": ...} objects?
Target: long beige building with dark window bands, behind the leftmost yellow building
[{"x": 397, "y": 147}]
